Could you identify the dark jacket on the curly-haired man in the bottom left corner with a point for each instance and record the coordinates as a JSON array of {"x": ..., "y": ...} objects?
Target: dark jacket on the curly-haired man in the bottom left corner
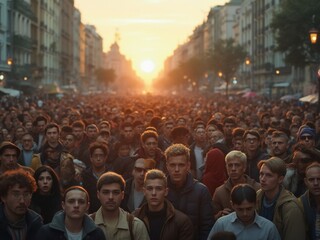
[{"x": 34, "y": 223}]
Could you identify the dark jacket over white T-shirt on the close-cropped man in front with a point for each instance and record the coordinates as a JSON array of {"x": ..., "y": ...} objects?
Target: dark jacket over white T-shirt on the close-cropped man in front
[{"x": 56, "y": 230}]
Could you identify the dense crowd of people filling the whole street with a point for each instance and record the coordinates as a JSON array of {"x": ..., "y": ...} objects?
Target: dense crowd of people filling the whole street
[{"x": 158, "y": 167}]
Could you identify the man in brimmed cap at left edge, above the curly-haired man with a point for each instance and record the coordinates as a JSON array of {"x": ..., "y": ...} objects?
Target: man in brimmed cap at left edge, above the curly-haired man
[{"x": 9, "y": 154}]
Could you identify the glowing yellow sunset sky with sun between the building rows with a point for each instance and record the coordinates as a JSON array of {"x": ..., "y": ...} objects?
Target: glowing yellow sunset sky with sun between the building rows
[{"x": 149, "y": 30}]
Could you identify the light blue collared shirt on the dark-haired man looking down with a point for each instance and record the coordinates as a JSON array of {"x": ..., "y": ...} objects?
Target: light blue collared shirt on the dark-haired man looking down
[{"x": 259, "y": 229}]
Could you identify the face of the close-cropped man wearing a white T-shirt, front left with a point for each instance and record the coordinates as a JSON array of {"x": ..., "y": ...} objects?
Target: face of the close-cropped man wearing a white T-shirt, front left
[{"x": 75, "y": 204}]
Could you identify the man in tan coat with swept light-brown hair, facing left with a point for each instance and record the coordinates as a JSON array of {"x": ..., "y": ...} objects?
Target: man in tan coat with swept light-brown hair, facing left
[{"x": 276, "y": 203}]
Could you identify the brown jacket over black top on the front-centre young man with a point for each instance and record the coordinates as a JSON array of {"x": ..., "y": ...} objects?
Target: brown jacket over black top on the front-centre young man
[{"x": 177, "y": 225}]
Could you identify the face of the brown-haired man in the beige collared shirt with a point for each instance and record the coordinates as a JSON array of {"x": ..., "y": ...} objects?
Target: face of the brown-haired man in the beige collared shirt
[{"x": 110, "y": 197}]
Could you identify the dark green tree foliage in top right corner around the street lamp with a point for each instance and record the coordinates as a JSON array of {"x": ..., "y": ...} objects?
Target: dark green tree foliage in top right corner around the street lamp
[{"x": 291, "y": 25}]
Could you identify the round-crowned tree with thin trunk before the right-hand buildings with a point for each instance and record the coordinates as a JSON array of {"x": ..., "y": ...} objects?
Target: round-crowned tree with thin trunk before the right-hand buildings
[{"x": 225, "y": 58}]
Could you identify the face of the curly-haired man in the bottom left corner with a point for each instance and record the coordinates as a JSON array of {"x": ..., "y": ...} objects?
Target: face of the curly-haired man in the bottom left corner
[{"x": 17, "y": 201}]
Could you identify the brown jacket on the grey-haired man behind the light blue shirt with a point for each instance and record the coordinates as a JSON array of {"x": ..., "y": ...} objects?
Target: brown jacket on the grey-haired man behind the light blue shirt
[{"x": 221, "y": 198}]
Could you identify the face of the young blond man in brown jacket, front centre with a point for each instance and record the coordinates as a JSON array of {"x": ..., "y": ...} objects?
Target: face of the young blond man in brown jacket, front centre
[{"x": 155, "y": 193}]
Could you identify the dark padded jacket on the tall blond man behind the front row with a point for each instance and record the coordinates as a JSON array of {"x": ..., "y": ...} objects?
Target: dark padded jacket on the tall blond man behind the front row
[{"x": 194, "y": 200}]
